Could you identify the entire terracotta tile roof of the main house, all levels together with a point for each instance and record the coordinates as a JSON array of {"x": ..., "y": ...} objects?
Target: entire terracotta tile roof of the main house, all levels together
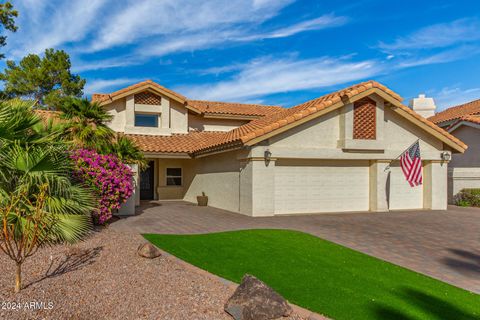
[{"x": 273, "y": 120}]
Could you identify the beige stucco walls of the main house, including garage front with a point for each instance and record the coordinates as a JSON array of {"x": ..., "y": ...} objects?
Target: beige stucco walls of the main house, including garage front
[{"x": 314, "y": 167}]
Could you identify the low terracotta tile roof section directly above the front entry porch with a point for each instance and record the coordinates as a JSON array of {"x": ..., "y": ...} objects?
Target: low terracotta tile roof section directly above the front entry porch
[{"x": 176, "y": 143}]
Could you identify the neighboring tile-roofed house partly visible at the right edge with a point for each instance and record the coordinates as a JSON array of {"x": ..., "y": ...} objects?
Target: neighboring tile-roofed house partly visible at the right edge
[{"x": 463, "y": 122}]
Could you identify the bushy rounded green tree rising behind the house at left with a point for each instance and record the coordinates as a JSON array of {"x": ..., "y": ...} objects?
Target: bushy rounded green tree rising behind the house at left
[{"x": 47, "y": 80}]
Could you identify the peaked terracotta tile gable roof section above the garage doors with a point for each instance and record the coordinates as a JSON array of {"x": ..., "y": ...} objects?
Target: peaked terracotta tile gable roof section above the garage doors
[{"x": 268, "y": 126}]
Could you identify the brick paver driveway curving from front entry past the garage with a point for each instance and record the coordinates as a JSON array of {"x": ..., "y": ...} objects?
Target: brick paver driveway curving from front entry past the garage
[{"x": 442, "y": 244}]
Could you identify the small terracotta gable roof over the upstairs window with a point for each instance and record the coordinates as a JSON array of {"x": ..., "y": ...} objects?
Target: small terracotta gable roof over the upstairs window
[{"x": 104, "y": 99}]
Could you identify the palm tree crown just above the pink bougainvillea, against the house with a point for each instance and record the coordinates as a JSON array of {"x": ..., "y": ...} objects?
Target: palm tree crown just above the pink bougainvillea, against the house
[{"x": 85, "y": 123}]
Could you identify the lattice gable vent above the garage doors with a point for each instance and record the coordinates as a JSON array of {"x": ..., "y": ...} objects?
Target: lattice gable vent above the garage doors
[{"x": 364, "y": 119}]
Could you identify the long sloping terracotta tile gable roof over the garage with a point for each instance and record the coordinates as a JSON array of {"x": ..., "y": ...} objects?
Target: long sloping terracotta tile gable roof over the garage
[{"x": 259, "y": 127}]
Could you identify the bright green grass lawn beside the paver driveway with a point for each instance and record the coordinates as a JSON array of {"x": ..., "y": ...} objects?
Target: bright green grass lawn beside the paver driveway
[{"x": 322, "y": 276}]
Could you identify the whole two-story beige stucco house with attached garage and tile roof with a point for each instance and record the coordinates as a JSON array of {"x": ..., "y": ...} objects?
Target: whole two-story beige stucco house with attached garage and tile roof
[{"x": 325, "y": 155}]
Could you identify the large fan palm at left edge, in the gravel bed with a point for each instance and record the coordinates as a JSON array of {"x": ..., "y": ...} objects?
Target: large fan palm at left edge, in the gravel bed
[{"x": 40, "y": 204}]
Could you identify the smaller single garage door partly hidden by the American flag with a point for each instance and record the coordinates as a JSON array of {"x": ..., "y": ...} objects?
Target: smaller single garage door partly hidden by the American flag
[{"x": 402, "y": 195}]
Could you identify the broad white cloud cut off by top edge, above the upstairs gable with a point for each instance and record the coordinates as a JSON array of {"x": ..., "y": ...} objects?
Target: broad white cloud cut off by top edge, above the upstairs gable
[{"x": 139, "y": 20}]
